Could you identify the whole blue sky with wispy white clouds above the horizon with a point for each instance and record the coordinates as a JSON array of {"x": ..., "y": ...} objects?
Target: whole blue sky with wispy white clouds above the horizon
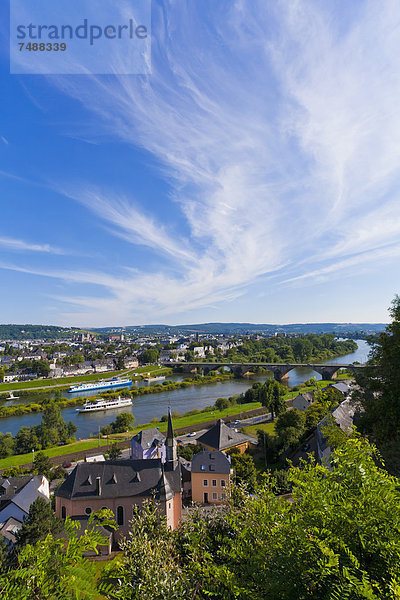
[{"x": 253, "y": 176}]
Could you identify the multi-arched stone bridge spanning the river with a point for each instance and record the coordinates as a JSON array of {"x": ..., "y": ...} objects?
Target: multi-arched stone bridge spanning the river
[{"x": 280, "y": 370}]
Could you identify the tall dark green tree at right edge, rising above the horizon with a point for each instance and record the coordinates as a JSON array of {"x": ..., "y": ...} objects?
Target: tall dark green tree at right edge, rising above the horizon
[{"x": 380, "y": 392}]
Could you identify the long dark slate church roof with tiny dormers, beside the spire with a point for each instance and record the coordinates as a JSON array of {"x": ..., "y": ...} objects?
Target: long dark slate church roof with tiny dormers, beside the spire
[{"x": 121, "y": 479}]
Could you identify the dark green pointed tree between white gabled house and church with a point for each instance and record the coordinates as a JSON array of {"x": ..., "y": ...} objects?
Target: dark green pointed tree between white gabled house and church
[{"x": 40, "y": 521}]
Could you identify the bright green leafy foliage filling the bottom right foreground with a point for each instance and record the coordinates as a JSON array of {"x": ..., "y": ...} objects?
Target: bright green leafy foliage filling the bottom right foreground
[{"x": 339, "y": 539}]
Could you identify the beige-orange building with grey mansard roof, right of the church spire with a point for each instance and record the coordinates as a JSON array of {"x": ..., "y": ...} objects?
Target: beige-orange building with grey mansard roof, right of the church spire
[{"x": 211, "y": 476}]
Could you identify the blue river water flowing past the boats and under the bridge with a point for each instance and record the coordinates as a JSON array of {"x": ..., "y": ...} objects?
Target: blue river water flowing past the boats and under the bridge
[{"x": 147, "y": 407}]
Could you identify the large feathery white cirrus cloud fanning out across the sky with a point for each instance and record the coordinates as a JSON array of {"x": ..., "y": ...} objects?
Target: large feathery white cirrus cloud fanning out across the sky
[{"x": 275, "y": 125}]
